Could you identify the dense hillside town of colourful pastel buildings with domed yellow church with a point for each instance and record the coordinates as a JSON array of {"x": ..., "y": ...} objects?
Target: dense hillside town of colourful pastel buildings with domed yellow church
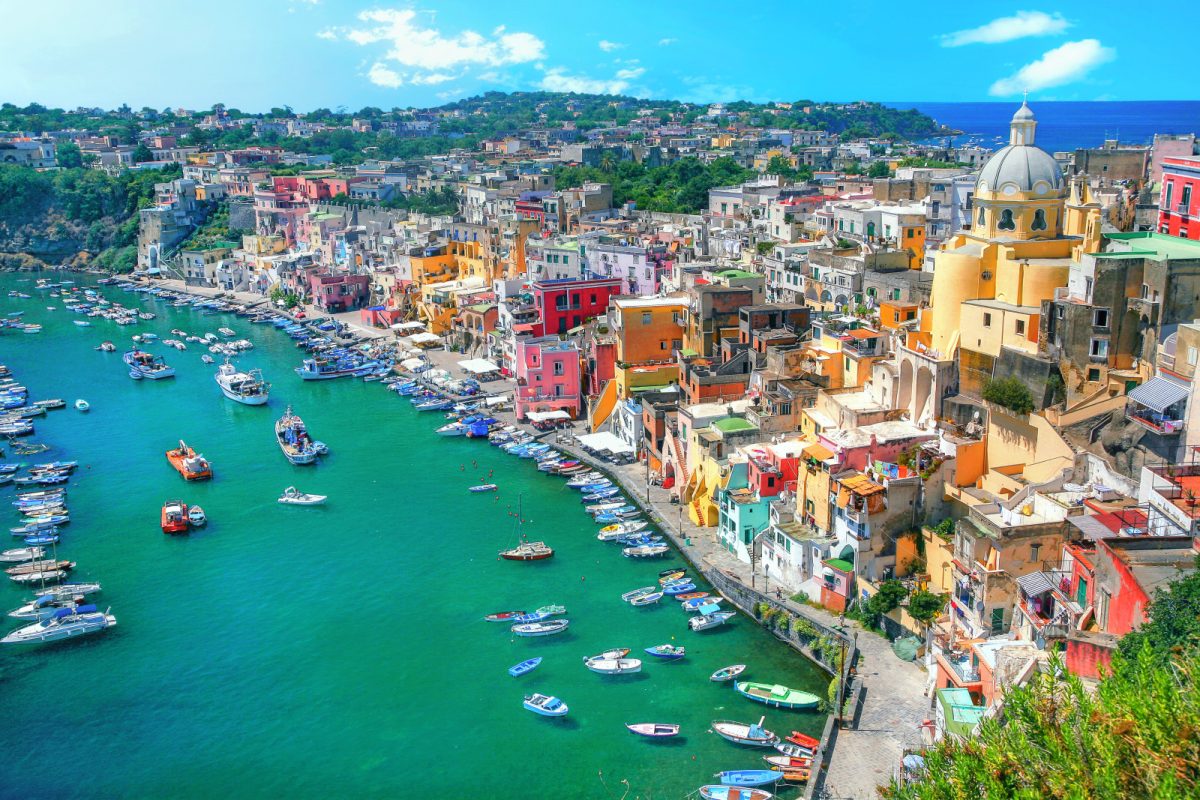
[{"x": 959, "y": 376}]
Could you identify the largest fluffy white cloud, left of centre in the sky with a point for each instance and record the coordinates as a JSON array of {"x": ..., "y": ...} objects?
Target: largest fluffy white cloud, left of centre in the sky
[{"x": 428, "y": 49}]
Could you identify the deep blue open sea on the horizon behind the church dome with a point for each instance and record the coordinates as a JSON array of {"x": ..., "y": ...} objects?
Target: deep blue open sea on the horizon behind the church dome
[{"x": 1067, "y": 125}]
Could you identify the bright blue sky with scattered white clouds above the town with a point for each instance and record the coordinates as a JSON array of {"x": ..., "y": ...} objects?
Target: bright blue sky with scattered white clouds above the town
[{"x": 254, "y": 55}]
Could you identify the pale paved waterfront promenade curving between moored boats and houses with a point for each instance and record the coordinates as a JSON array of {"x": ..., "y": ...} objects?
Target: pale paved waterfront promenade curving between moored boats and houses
[{"x": 895, "y": 702}]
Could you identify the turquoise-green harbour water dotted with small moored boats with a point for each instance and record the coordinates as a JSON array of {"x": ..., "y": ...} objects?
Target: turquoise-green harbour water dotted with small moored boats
[{"x": 338, "y": 651}]
